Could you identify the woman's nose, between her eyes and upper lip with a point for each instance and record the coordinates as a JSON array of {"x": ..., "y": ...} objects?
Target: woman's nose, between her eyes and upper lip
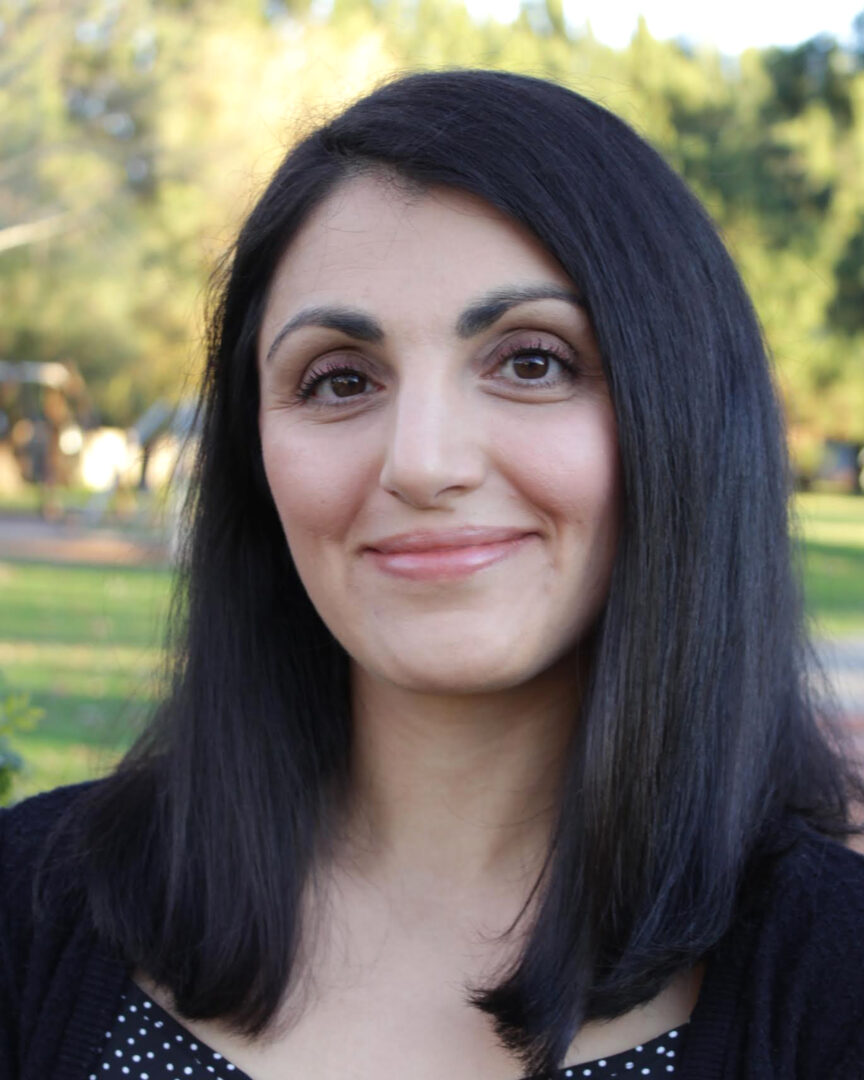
[{"x": 435, "y": 448}]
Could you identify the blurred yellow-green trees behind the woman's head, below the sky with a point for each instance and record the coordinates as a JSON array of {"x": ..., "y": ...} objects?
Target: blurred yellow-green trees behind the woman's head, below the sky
[{"x": 136, "y": 133}]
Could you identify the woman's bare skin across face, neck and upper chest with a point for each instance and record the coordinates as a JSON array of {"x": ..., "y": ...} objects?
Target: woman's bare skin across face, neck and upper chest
[{"x": 465, "y": 686}]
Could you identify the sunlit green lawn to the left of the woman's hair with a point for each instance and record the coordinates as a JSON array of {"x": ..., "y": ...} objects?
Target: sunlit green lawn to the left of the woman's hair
[{"x": 85, "y": 643}]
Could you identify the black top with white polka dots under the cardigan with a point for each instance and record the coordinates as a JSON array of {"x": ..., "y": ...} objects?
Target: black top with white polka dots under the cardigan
[{"x": 147, "y": 1044}]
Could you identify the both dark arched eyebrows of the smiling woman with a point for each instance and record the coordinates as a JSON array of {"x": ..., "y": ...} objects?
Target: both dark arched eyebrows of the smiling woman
[{"x": 477, "y": 317}]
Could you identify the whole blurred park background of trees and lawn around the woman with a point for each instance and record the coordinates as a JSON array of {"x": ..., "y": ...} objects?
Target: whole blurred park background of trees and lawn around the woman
[{"x": 134, "y": 136}]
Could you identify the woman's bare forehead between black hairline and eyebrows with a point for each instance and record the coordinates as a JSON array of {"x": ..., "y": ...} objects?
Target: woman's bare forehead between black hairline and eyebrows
[{"x": 376, "y": 244}]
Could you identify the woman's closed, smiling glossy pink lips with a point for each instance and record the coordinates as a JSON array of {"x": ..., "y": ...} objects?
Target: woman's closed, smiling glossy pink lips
[{"x": 445, "y": 553}]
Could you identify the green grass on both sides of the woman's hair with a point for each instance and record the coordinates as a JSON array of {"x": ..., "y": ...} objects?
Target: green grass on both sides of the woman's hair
[{"x": 85, "y": 642}]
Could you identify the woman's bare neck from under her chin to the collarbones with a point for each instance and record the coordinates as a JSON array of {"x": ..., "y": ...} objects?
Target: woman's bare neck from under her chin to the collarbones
[{"x": 457, "y": 793}]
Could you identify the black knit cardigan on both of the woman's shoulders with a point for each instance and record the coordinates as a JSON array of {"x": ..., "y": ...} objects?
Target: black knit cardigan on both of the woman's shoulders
[{"x": 782, "y": 998}]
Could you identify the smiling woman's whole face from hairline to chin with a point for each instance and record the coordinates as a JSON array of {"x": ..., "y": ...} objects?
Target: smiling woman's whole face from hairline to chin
[{"x": 439, "y": 439}]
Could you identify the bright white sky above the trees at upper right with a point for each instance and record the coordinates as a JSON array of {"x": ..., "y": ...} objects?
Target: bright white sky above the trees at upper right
[{"x": 731, "y": 26}]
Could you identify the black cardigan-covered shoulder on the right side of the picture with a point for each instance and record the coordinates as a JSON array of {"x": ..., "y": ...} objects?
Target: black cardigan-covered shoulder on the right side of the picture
[{"x": 785, "y": 990}]
